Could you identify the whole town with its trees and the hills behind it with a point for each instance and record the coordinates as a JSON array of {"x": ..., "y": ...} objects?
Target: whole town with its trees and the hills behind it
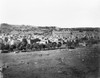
[{"x": 26, "y": 38}]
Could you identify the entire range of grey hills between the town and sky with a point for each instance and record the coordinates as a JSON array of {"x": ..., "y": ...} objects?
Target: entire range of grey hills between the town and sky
[{"x": 47, "y": 31}]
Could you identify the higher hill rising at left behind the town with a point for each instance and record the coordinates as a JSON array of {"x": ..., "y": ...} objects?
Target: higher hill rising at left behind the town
[{"x": 10, "y": 29}]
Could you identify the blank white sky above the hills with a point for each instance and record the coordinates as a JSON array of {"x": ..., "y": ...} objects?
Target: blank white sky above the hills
[{"x": 61, "y": 13}]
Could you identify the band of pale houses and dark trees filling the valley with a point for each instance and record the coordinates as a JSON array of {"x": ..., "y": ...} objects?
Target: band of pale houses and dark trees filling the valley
[{"x": 31, "y": 42}]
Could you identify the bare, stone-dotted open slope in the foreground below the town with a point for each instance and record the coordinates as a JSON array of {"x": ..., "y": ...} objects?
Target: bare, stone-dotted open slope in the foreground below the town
[{"x": 61, "y": 63}]
